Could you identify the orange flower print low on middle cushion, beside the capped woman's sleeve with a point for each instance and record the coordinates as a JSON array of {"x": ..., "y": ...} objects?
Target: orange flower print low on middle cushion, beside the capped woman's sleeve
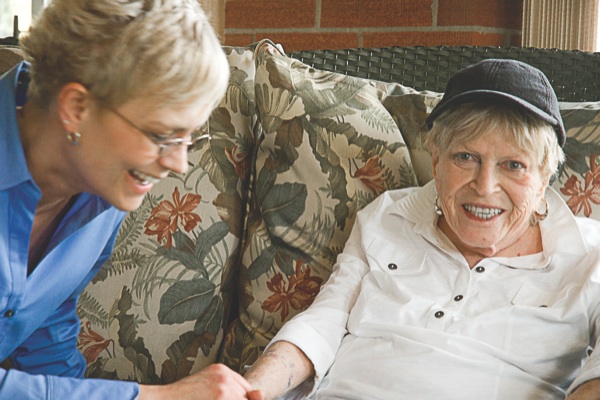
[{"x": 299, "y": 293}]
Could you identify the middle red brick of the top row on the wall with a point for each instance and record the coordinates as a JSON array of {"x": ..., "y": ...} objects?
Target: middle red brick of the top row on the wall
[{"x": 375, "y": 13}]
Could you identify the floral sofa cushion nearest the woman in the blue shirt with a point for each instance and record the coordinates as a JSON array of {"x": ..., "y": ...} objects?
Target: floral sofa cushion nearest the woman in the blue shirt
[{"x": 156, "y": 311}]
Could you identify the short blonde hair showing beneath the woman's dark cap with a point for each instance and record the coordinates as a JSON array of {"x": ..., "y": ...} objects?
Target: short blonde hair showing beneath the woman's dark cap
[{"x": 471, "y": 121}]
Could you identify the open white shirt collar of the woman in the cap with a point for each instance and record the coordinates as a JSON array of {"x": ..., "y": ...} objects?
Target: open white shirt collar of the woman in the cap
[{"x": 560, "y": 232}]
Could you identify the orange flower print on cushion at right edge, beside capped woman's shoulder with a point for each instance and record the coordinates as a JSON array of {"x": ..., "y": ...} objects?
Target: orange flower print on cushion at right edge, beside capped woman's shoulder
[{"x": 583, "y": 197}]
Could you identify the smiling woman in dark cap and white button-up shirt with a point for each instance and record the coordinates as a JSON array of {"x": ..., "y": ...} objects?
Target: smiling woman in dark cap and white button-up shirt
[{"x": 479, "y": 285}]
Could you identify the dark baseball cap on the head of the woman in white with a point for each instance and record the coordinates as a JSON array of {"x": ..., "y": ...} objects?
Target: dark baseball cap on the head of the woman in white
[{"x": 506, "y": 80}]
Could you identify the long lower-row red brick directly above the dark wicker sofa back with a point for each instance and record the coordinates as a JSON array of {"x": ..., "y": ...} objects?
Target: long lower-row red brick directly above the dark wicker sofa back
[{"x": 383, "y": 39}]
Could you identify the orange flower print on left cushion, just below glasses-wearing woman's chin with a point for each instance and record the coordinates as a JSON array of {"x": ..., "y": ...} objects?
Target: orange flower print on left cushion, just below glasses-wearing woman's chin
[{"x": 167, "y": 216}]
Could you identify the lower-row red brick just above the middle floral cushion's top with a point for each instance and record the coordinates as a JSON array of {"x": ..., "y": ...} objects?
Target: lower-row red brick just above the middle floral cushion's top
[{"x": 312, "y": 41}]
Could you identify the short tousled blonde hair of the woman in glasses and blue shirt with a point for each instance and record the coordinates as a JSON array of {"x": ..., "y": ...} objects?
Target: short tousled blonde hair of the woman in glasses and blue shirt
[{"x": 121, "y": 50}]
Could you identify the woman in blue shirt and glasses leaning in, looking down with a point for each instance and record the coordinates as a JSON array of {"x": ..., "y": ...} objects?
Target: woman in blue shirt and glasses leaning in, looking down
[{"x": 108, "y": 103}]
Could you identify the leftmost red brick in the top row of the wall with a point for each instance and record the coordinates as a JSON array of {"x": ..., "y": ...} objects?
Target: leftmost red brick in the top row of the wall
[{"x": 252, "y": 14}]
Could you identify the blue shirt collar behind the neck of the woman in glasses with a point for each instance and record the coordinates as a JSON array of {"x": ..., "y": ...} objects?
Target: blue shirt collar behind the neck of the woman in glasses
[{"x": 12, "y": 157}]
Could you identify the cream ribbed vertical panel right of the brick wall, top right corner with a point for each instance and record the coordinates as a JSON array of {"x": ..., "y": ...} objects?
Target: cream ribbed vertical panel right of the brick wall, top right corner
[{"x": 560, "y": 24}]
